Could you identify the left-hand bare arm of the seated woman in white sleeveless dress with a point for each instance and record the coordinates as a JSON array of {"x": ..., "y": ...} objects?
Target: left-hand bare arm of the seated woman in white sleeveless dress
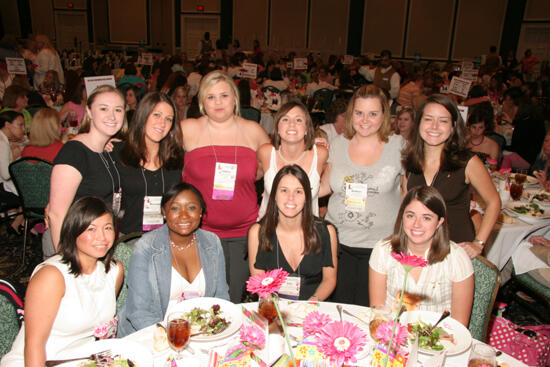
[{"x": 42, "y": 300}]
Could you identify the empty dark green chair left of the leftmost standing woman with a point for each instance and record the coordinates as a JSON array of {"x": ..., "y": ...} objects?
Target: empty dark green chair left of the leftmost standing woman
[{"x": 31, "y": 177}]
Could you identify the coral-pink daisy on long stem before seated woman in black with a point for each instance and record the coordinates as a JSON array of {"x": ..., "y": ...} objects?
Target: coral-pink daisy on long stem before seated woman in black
[{"x": 267, "y": 285}]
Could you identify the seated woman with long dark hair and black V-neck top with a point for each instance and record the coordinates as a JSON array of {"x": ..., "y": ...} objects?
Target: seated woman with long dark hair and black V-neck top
[{"x": 290, "y": 237}]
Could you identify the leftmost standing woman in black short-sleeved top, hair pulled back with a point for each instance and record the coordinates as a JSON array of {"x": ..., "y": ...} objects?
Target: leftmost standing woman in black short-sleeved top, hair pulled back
[{"x": 82, "y": 167}]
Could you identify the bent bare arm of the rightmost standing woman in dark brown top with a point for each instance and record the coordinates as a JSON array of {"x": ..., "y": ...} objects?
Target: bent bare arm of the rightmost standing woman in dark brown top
[{"x": 477, "y": 175}]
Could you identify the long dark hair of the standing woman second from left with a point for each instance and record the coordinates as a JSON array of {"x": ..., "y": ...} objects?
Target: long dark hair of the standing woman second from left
[{"x": 134, "y": 150}]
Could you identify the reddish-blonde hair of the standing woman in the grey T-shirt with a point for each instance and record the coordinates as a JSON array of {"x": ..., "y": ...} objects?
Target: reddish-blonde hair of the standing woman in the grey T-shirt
[{"x": 369, "y": 91}]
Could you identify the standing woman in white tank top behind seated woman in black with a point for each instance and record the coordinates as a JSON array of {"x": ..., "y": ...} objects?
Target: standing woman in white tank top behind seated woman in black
[{"x": 292, "y": 142}]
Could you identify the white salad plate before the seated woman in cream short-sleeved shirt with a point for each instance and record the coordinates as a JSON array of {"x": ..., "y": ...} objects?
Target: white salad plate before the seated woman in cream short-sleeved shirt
[{"x": 461, "y": 335}]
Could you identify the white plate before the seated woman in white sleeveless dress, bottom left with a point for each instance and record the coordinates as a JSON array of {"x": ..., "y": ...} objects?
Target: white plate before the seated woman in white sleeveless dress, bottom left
[{"x": 125, "y": 348}]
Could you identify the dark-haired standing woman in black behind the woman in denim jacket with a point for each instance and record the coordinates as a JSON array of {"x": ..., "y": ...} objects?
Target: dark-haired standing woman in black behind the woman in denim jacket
[{"x": 150, "y": 162}]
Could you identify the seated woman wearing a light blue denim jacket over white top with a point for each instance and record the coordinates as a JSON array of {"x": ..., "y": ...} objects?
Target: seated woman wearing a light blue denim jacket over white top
[{"x": 174, "y": 262}]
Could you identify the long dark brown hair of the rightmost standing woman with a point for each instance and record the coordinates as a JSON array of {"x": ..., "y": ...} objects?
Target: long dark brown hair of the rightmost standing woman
[{"x": 454, "y": 155}]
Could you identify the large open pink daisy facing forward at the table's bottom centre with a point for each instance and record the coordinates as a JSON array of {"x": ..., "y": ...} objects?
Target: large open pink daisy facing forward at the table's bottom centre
[{"x": 341, "y": 341}]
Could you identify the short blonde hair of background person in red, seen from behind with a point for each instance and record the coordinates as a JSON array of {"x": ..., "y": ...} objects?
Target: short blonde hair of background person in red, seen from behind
[{"x": 45, "y": 128}]
